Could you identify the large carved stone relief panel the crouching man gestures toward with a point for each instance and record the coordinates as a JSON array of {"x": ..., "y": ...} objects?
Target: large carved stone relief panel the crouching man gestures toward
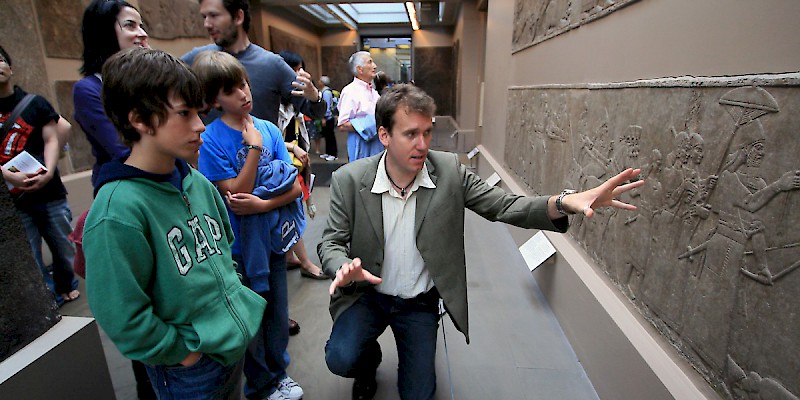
[{"x": 712, "y": 255}]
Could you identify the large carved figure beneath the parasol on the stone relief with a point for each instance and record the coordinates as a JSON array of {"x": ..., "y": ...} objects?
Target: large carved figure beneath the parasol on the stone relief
[{"x": 740, "y": 193}]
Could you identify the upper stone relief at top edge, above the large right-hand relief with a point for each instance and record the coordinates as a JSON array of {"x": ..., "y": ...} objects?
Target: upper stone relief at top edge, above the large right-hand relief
[{"x": 538, "y": 20}]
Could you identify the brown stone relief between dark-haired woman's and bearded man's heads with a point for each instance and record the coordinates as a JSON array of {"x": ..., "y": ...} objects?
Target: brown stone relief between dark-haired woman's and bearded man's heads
[{"x": 171, "y": 19}]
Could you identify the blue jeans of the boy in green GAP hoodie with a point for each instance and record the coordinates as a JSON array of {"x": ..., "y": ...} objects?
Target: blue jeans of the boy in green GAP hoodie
[{"x": 205, "y": 380}]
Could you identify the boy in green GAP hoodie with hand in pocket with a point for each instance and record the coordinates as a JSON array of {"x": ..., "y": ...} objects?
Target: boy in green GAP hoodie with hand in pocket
[{"x": 159, "y": 274}]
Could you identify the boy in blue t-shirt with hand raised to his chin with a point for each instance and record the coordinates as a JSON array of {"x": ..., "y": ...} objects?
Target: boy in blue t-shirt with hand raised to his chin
[{"x": 246, "y": 159}]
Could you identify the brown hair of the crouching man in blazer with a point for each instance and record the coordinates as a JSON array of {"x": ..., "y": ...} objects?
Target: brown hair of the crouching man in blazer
[{"x": 411, "y": 97}]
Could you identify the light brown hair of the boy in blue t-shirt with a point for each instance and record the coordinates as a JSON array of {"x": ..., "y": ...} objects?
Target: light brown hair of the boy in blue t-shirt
[{"x": 218, "y": 70}]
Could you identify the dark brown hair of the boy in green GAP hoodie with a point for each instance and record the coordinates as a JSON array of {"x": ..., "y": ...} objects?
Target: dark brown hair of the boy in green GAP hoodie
[{"x": 144, "y": 80}]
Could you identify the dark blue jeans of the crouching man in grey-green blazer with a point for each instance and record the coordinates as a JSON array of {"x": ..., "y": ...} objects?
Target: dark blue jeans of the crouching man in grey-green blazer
[{"x": 353, "y": 350}]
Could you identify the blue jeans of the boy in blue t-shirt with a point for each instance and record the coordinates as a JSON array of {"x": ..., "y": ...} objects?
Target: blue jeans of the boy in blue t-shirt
[{"x": 266, "y": 359}]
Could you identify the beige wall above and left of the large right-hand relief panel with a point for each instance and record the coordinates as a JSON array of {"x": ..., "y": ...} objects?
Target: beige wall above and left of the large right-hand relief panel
[{"x": 647, "y": 39}]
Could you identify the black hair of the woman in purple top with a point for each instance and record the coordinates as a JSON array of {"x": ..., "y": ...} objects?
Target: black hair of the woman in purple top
[{"x": 99, "y": 35}]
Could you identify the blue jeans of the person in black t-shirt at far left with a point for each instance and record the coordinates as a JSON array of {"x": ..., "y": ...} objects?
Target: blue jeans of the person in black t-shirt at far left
[{"x": 51, "y": 222}]
